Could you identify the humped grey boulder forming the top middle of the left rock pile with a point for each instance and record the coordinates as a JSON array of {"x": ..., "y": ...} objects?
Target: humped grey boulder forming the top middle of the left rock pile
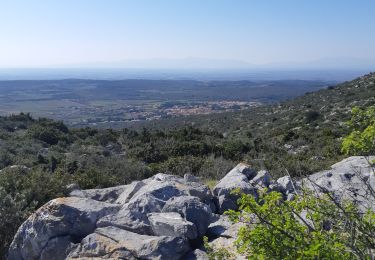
[{"x": 150, "y": 196}]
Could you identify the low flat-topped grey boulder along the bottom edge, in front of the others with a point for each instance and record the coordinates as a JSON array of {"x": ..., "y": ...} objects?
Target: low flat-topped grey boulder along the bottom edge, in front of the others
[{"x": 115, "y": 243}]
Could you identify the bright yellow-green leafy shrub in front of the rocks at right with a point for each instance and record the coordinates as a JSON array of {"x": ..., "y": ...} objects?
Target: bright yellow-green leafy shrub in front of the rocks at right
[{"x": 311, "y": 226}]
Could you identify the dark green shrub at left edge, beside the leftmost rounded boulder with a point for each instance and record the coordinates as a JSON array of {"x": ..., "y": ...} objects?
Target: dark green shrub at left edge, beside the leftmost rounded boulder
[{"x": 20, "y": 195}]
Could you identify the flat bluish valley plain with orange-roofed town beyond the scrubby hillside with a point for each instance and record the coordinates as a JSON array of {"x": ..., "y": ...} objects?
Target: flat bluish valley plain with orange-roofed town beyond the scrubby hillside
[{"x": 105, "y": 103}]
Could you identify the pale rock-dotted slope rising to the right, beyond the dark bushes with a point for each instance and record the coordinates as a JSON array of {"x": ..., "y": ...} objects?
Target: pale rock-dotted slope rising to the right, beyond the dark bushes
[{"x": 302, "y": 134}]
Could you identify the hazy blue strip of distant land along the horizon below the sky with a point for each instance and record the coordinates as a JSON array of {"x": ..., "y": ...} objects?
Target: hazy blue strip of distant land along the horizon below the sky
[{"x": 182, "y": 74}]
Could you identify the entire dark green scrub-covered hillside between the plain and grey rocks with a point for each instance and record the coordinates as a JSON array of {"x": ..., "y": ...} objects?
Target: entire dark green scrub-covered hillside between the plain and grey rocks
[{"x": 40, "y": 157}]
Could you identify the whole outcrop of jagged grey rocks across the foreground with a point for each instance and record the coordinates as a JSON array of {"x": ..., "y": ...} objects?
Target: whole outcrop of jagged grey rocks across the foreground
[{"x": 164, "y": 217}]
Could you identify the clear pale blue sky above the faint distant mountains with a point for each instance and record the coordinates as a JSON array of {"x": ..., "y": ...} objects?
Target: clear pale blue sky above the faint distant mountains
[{"x": 40, "y": 33}]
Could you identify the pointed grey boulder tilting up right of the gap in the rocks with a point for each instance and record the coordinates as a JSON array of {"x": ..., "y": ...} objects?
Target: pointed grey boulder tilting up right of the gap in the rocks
[{"x": 238, "y": 178}]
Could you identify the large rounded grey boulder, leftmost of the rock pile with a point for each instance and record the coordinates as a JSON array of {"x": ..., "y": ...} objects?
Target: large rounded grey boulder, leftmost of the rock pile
[{"x": 71, "y": 218}]
